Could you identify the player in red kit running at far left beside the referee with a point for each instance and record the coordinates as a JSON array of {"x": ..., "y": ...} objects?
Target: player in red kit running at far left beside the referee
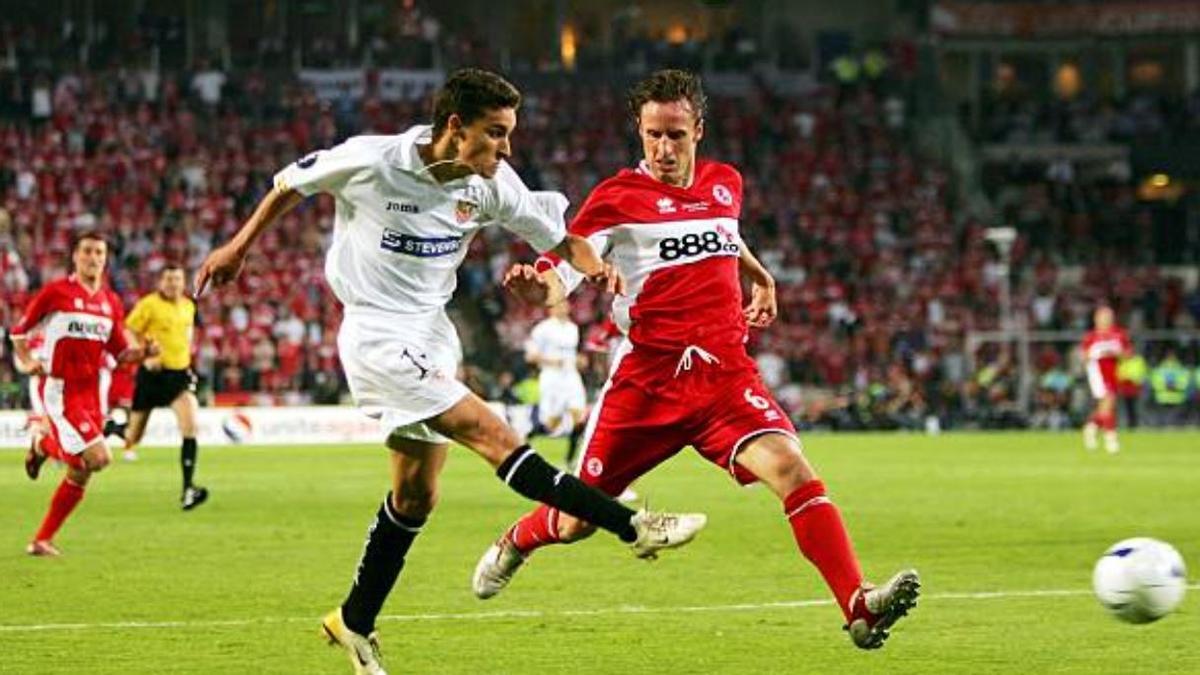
[{"x": 80, "y": 318}]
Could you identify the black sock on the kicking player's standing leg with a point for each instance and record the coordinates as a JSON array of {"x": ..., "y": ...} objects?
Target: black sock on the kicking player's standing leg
[{"x": 383, "y": 557}]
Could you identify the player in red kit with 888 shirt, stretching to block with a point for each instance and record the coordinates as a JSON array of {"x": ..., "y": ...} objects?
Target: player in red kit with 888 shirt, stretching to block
[{"x": 682, "y": 375}]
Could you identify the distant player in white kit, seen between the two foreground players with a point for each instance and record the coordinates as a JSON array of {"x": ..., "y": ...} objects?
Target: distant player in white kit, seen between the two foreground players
[{"x": 554, "y": 348}]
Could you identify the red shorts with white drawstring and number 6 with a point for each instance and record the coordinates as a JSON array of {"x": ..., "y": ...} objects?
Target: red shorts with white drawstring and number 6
[{"x": 713, "y": 408}]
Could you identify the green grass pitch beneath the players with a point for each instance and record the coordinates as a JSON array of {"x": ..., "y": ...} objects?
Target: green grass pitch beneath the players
[{"x": 1005, "y": 530}]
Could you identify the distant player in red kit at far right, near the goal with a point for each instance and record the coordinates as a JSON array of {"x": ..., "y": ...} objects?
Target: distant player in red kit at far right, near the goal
[{"x": 1103, "y": 348}]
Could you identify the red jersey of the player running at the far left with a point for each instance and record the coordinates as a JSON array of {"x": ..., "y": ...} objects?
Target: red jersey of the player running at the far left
[{"x": 77, "y": 327}]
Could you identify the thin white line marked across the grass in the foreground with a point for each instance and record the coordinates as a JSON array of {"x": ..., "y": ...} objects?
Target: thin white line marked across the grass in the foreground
[{"x": 532, "y": 613}]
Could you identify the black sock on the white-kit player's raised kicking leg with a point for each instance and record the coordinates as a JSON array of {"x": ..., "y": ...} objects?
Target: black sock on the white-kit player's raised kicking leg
[{"x": 532, "y": 477}]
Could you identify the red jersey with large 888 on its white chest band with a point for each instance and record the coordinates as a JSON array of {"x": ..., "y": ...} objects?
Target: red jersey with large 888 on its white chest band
[{"x": 679, "y": 249}]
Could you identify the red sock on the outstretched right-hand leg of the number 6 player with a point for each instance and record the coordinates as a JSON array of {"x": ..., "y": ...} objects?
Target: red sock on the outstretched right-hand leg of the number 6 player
[{"x": 823, "y": 539}]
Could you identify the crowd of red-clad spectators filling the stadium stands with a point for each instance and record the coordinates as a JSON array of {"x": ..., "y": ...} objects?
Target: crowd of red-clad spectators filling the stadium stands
[{"x": 880, "y": 274}]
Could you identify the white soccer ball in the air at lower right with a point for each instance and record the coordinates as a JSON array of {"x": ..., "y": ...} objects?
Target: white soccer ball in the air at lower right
[{"x": 1141, "y": 581}]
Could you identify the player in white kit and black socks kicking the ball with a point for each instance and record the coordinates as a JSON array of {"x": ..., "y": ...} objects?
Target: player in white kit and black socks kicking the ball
[{"x": 407, "y": 210}]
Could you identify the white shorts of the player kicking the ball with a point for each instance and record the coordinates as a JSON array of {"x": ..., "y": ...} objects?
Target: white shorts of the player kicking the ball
[{"x": 401, "y": 369}]
